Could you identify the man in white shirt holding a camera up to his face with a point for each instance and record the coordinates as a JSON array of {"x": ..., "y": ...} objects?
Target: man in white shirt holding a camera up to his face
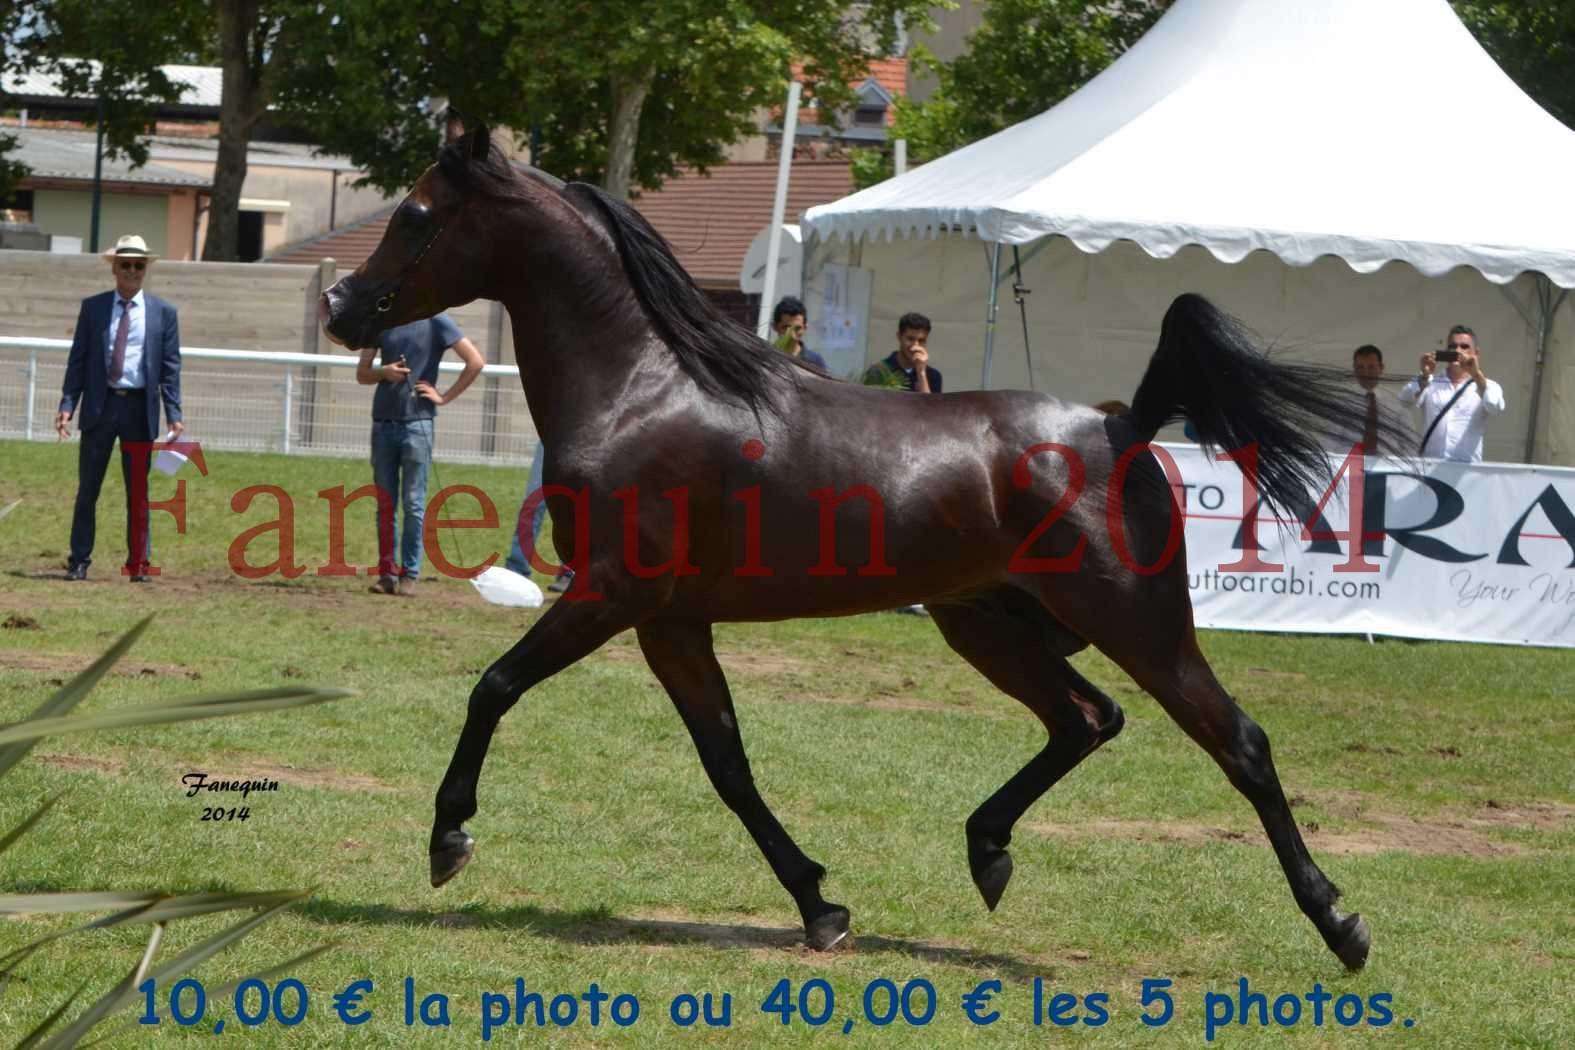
[{"x": 1458, "y": 404}]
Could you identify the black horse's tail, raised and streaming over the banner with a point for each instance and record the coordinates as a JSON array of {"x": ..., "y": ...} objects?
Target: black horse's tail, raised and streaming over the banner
[{"x": 1209, "y": 371}]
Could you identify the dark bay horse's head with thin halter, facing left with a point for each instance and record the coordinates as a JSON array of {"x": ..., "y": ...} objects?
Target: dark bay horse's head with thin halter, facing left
[{"x": 432, "y": 256}]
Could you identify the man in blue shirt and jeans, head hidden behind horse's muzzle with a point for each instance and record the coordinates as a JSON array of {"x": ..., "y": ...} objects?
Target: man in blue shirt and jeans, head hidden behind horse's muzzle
[{"x": 404, "y": 410}]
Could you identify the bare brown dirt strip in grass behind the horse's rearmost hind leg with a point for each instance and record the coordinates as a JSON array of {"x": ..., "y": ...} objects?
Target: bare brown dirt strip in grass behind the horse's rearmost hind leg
[{"x": 1445, "y": 835}]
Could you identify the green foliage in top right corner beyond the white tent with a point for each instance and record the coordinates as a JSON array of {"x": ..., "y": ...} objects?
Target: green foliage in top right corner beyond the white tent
[{"x": 1535, "y": 43}]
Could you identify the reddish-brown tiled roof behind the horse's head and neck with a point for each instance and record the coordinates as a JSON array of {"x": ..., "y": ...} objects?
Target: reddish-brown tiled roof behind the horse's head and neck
[{"x": 708, "y": 220}]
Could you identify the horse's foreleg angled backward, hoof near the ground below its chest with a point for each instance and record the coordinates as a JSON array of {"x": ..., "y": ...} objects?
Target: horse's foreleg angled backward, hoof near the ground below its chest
[{"x": 683, "y": 659}]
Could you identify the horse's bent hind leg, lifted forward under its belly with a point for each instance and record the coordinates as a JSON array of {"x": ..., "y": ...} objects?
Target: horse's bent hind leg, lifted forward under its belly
[{"x": 1021, "y": 649}]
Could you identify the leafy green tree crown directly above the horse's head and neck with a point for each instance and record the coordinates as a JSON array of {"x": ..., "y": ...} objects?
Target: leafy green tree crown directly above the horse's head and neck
[{"x": 620, "y": 92}]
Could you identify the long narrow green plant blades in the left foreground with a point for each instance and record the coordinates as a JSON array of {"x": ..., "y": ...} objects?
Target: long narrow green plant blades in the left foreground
[{"x": 130, "y": 908}]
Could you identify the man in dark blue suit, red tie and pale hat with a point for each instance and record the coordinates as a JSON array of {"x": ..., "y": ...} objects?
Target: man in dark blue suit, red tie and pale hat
[{"x": 125, "y": 360}]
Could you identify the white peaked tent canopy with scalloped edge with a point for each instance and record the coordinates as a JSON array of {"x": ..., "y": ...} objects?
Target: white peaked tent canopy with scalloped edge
[{"x": 1305, "y": 128}]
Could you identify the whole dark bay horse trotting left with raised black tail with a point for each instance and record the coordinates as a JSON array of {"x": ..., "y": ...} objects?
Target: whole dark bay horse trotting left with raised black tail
[{"x": 697, "y": 476}]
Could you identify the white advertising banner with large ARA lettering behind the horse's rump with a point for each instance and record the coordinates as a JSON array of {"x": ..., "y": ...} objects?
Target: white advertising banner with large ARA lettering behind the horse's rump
[{"x": 1451, "y": 552}]
